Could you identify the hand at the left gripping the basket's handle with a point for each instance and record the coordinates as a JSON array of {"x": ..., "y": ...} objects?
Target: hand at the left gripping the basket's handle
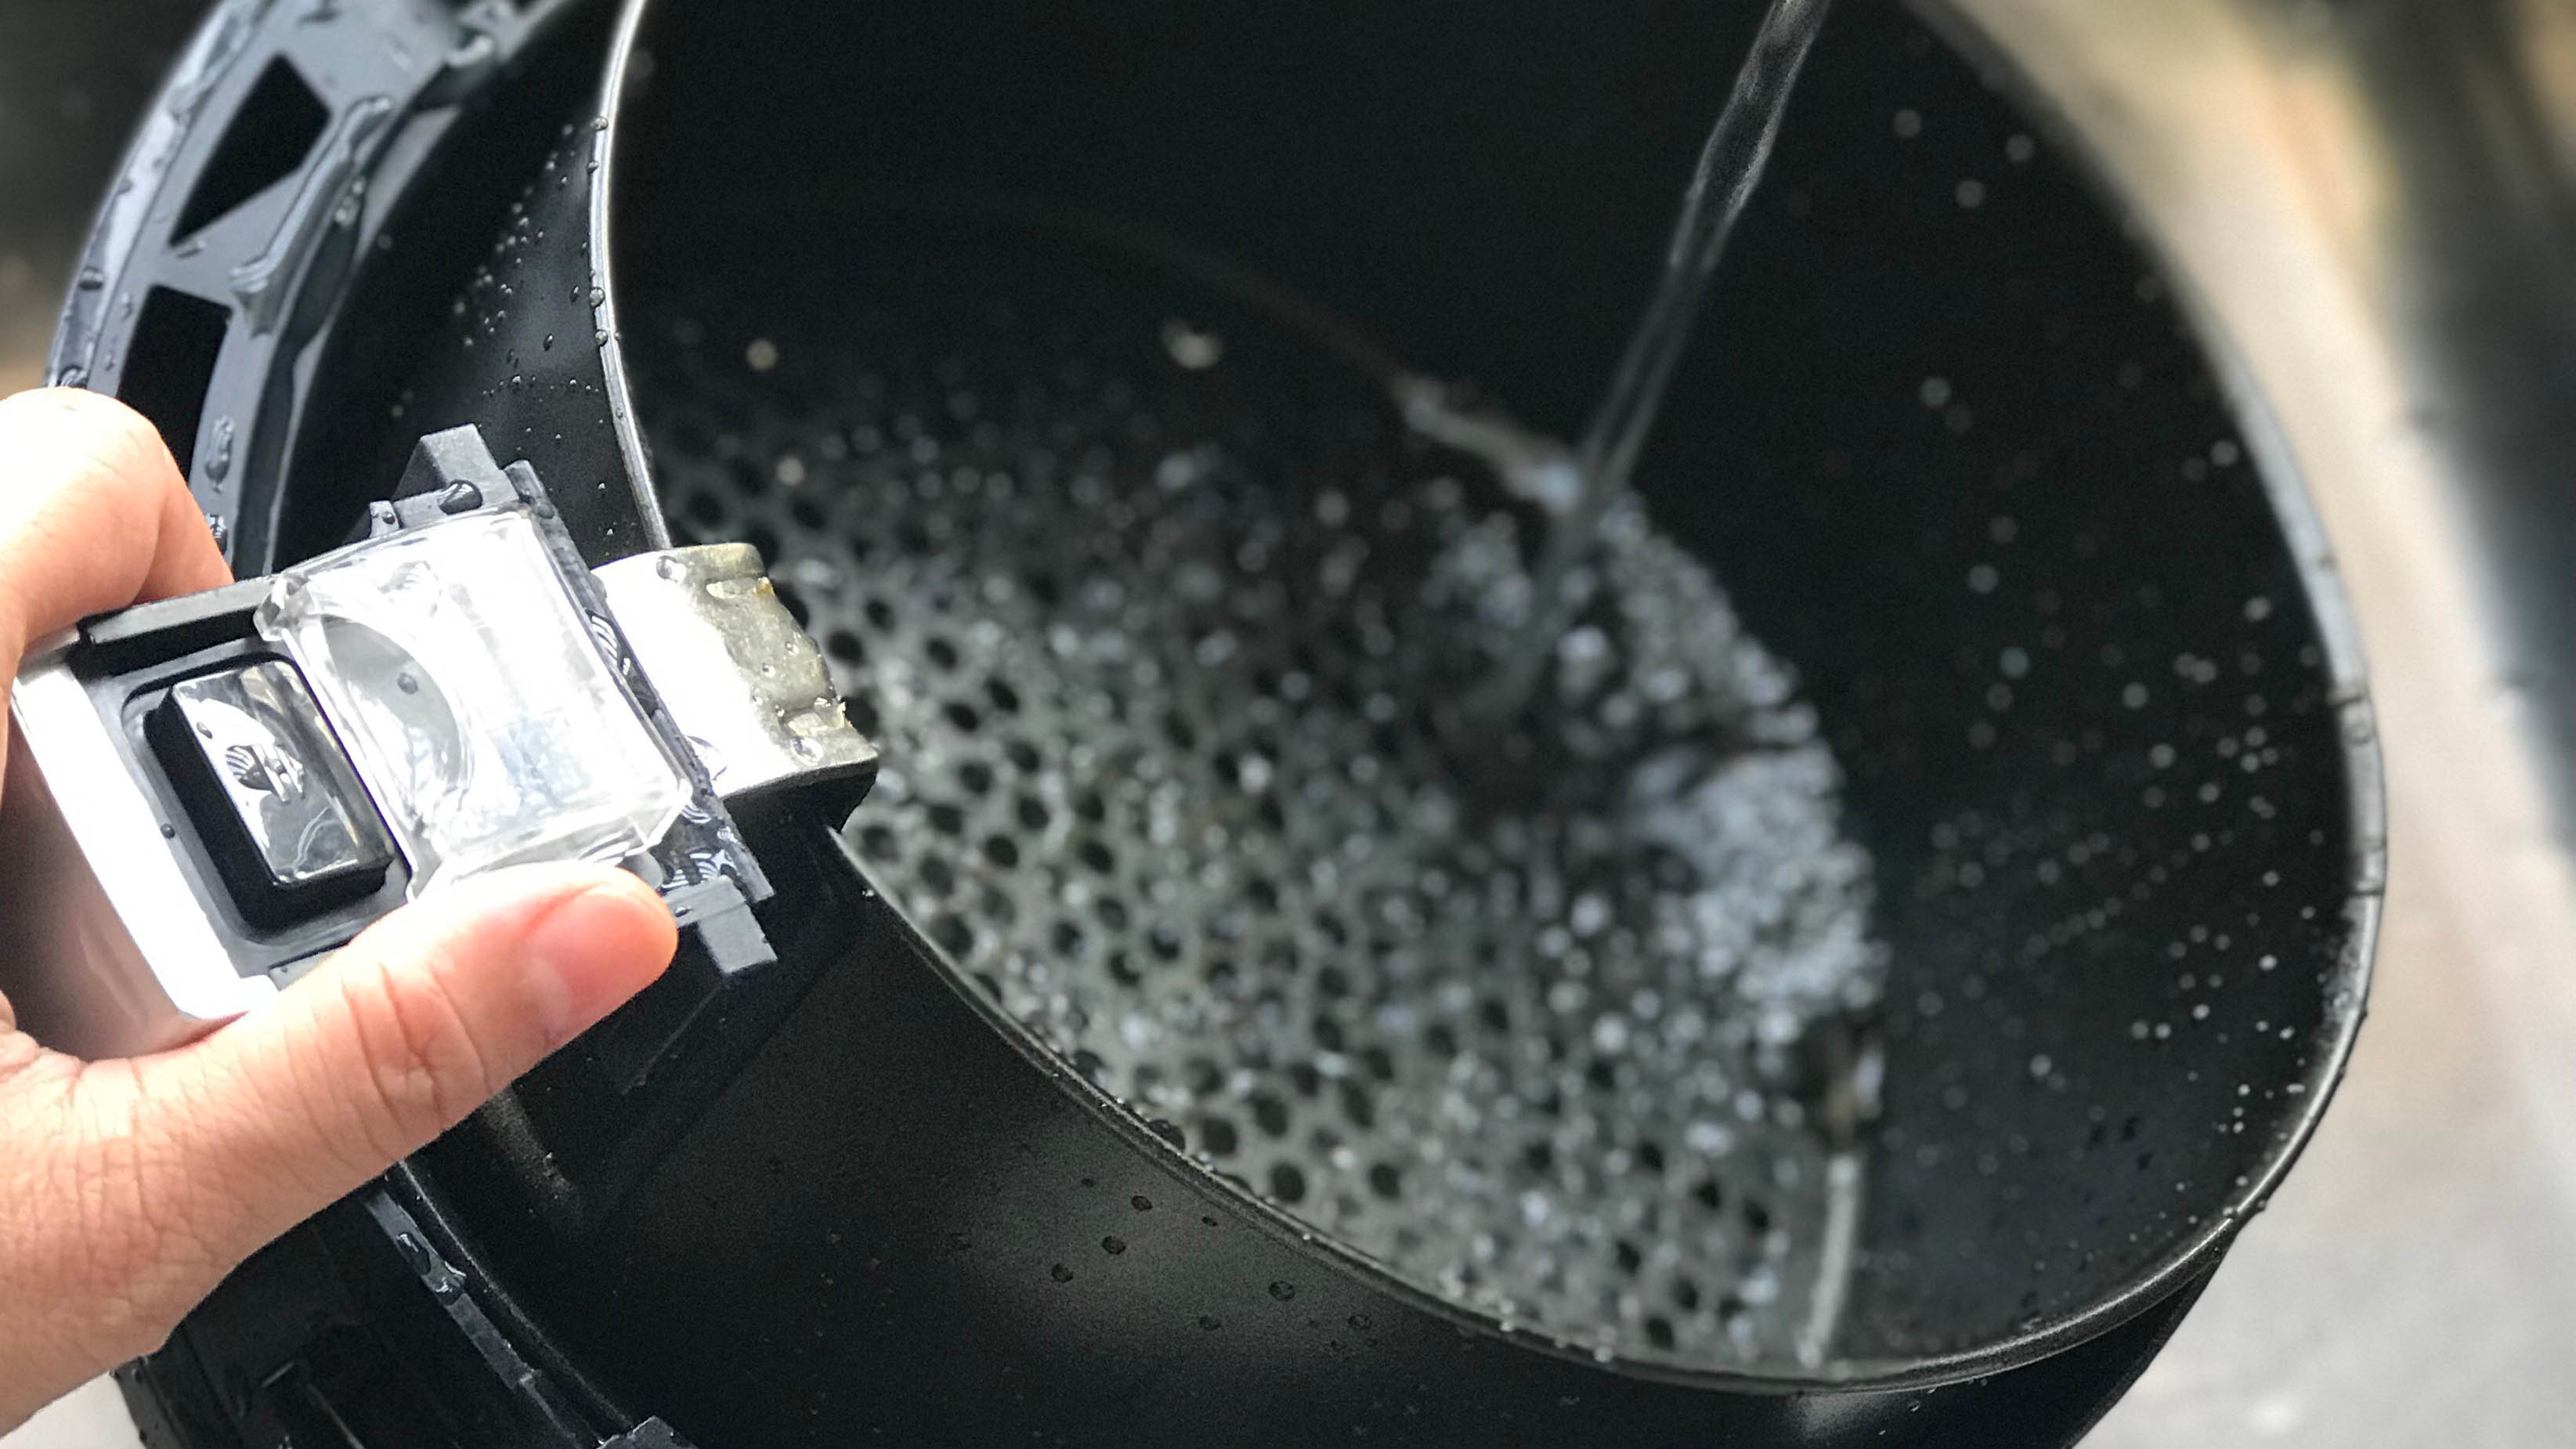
[{"x": 130, "y": 1190}]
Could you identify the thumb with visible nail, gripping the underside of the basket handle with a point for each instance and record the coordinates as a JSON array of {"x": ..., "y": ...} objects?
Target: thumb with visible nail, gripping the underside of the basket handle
[{"x": 390, "y": 1043}]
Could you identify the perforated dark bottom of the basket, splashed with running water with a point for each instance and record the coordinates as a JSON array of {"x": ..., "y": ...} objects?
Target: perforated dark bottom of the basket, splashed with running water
[{"x": 1153, "y": 615}]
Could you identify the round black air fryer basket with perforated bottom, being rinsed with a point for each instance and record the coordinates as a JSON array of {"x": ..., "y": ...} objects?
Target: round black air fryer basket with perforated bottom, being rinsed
[{"x": 1034, "y": 349}]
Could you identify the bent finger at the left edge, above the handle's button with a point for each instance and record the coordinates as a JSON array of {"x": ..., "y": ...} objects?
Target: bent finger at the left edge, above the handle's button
[{"x": 94, "y": 517}]
